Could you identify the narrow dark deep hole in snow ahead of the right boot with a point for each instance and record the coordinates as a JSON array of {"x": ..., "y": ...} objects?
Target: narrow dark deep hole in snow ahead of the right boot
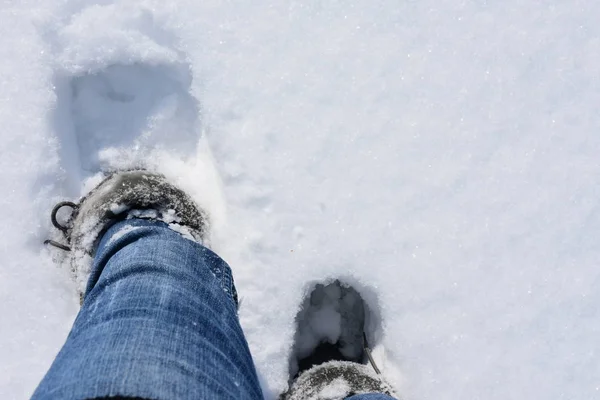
[{"x": 331, "y": 323}]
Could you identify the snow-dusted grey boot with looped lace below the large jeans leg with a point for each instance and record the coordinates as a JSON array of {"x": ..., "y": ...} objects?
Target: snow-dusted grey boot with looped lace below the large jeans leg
[{"x": 121, "y": 195}]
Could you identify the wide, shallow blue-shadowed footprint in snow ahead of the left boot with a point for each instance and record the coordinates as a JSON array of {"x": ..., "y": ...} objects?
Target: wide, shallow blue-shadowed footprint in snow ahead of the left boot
[{"x": 111, "y": 118}]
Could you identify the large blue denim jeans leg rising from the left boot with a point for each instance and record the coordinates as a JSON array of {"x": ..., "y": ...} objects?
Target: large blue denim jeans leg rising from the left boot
[{"x": 159, "y": 321}]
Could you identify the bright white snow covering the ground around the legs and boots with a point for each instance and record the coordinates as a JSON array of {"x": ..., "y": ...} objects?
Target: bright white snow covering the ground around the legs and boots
[{"x": 441, "y": 157}]
